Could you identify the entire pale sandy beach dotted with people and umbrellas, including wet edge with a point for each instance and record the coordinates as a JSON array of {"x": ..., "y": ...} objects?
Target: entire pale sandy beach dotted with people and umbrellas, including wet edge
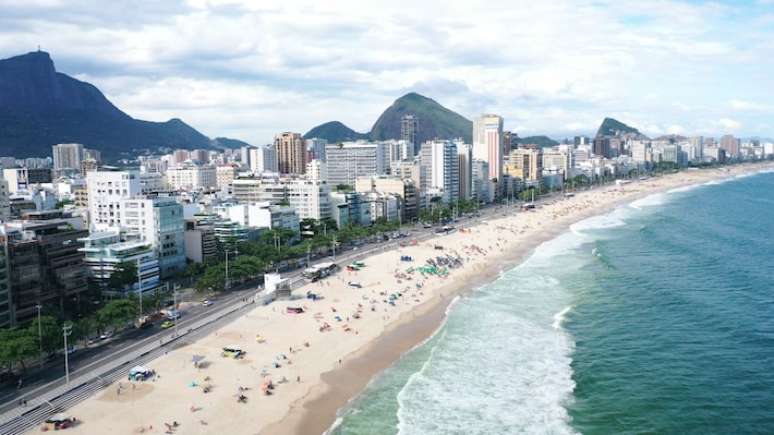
[{"x": 317, "y": 360}]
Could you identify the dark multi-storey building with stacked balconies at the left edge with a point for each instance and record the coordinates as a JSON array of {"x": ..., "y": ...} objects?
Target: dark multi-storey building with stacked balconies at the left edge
[{"x": 45, "y": 266}]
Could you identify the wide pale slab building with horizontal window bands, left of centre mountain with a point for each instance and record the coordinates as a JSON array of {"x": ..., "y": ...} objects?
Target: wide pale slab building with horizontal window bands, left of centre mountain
[{"x": 350, "y": 160}]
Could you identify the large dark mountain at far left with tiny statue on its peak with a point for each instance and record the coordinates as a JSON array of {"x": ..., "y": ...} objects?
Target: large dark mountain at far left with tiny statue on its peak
[{"x": 40, "y": 107}]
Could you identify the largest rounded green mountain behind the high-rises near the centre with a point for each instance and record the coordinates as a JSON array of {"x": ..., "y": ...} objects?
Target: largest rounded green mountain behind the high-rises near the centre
[{"x": 435, "y": 121}]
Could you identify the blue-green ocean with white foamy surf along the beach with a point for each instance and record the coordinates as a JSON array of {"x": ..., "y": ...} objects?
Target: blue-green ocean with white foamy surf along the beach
[{"x": 655, "y": 318}]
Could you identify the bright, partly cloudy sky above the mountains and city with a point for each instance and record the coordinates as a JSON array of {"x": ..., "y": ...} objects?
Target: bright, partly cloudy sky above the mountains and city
[{"x": 251, "y": 69}]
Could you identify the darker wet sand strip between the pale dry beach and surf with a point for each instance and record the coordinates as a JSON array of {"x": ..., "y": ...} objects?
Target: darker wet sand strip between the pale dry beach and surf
[{"x": 318, "y": 411}]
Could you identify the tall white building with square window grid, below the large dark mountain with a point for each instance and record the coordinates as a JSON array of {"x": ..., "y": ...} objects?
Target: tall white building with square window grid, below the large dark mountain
[{"x": 106, "y": 189}]
